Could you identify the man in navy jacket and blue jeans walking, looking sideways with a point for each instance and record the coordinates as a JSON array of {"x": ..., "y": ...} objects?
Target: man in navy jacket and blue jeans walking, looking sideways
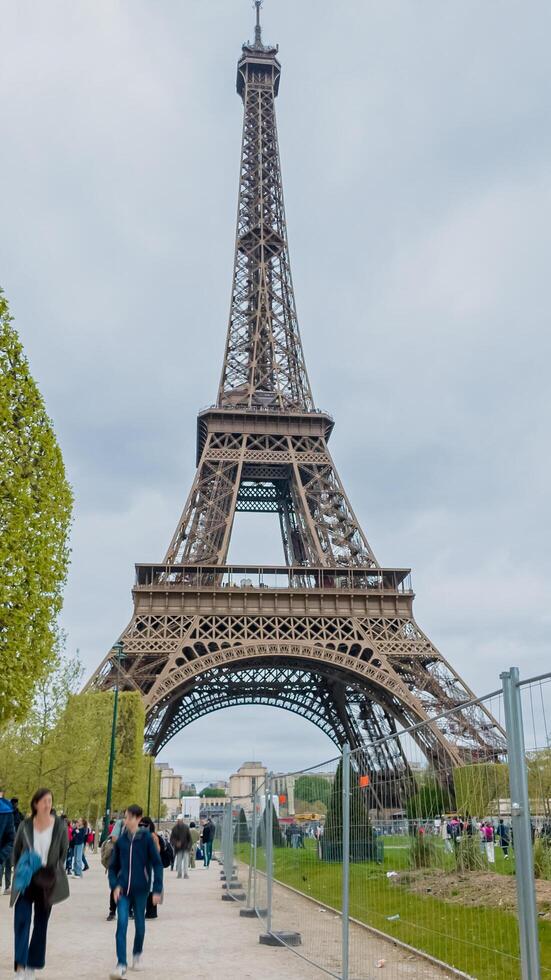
[{"x": 135, "y": 858}]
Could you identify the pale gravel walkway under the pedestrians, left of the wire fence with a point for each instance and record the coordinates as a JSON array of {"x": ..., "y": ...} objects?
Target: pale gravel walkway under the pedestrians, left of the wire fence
[{"x": 196, "y": 936}]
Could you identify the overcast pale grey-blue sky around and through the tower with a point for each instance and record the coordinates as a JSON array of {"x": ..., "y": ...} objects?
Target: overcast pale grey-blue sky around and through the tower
[{"x": 415, "y": 141}]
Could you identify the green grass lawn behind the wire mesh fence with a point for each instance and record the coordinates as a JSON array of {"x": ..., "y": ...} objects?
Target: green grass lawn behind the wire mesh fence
[{"x": 481, "y": 941}]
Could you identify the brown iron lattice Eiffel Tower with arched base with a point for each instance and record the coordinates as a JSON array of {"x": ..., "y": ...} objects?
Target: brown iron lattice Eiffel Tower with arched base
[{"x": 331, "y": 634}]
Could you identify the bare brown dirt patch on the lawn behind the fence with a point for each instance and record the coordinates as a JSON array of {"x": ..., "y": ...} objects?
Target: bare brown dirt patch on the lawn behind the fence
[{"x": 474, "y": 888}]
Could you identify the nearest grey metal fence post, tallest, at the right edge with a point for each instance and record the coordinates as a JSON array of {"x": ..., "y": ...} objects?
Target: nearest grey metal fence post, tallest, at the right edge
[{"x": 521, "y": 827}]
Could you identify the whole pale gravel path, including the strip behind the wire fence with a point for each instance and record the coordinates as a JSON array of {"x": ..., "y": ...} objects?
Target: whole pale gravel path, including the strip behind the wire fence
[{"x": 198, "y": 936}]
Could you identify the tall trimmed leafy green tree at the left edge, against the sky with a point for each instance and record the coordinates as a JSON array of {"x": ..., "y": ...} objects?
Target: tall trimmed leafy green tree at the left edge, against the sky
[{"x": 35, "y": 515}]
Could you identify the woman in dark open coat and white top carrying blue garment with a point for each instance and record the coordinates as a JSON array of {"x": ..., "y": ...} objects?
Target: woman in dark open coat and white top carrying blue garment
[{"x": 45, "y": 836}]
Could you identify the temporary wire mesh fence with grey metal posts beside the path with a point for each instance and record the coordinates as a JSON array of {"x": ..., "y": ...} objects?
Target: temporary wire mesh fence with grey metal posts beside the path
[{"x": 436, "y": 870}]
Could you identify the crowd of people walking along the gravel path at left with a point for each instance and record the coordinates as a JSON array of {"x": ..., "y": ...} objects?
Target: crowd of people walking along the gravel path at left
[{"x": 40, "y": 852}]
